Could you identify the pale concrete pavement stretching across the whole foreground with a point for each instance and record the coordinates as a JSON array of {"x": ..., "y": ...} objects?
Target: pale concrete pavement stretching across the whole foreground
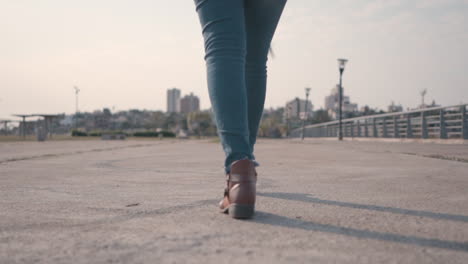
[{"x": 155, "y": 202}]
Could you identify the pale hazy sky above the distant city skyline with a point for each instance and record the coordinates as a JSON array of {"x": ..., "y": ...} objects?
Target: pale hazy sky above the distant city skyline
[{"x": 126, "y": 53}]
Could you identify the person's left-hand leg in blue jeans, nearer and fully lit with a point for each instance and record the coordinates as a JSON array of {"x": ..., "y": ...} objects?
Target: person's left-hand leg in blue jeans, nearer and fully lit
[{"x": 223, "y": 27}]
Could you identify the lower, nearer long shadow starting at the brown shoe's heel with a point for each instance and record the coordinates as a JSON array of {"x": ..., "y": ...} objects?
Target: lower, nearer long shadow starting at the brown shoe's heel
[{"x": 277, "y": 220}]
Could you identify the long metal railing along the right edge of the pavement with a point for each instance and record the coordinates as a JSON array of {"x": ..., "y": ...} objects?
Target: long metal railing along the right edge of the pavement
[{"x": 435, "y": 122}]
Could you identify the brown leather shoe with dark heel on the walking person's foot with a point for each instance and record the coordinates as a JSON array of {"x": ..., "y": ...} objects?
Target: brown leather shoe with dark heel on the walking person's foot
[{"x": 239, "y": 195}]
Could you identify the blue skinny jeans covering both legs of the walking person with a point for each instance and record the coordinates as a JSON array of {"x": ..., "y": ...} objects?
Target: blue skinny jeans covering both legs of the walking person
[{"x": 237, "y": 36}]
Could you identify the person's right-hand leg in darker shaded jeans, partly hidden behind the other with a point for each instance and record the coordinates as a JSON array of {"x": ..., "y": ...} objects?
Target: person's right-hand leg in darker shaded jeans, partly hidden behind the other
[{"x": 261, "y": 19}]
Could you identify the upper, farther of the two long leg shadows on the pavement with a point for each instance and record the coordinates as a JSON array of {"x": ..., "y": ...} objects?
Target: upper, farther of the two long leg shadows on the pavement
[{"x": 307, "y": 198}]
